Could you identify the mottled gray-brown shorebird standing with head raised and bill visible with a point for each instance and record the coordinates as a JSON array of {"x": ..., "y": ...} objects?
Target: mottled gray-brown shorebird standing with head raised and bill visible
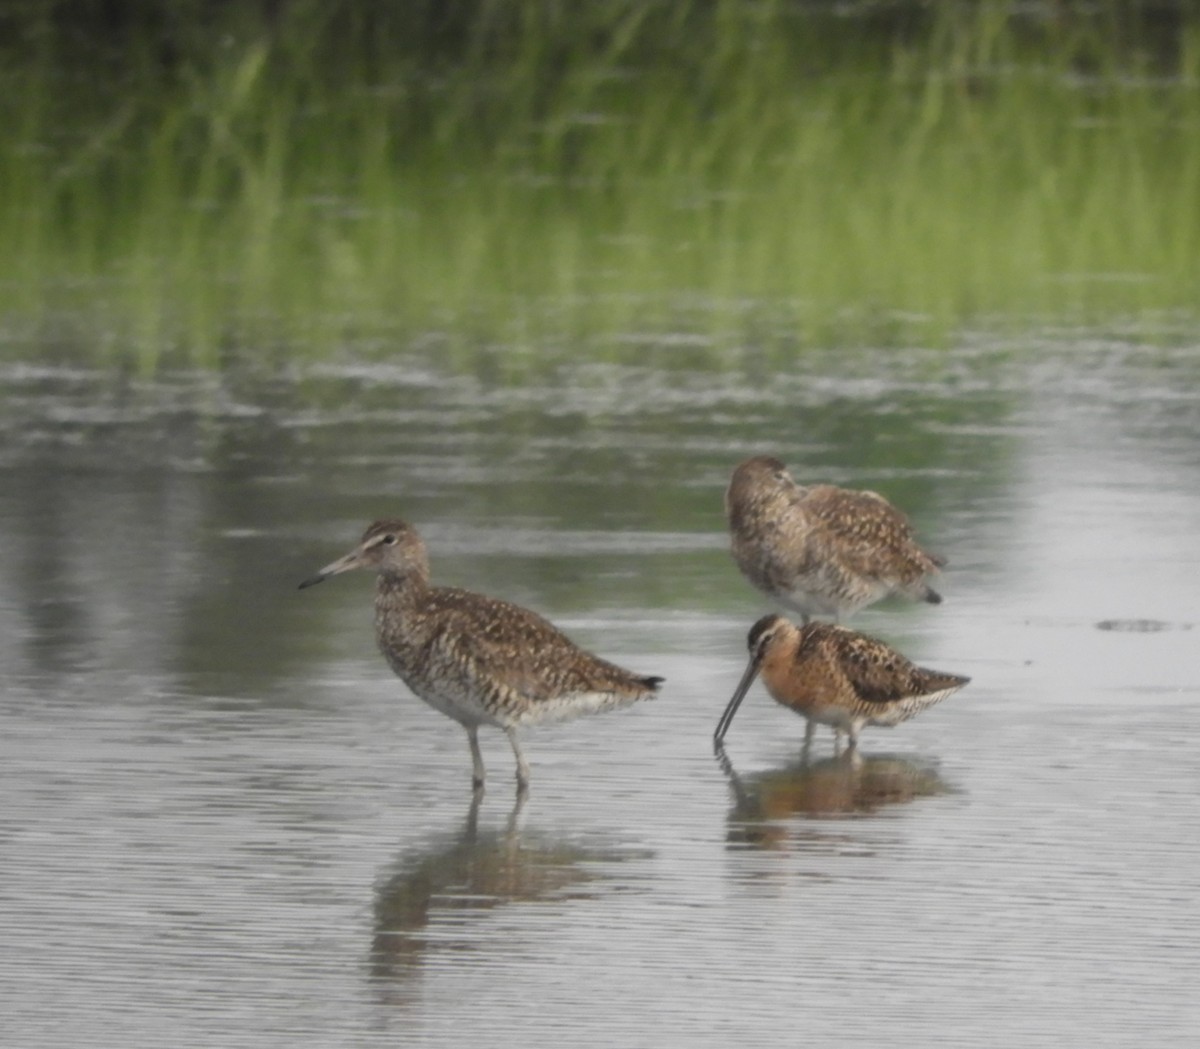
[{"x": 477, "y": 660}]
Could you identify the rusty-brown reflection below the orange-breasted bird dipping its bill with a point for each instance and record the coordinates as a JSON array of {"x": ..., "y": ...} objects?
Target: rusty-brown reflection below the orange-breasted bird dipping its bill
[{"x": 847, "y": 786}]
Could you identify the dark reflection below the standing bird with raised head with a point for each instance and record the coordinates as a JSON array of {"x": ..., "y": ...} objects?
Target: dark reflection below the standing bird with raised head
[{"x": 434, "y": 898}]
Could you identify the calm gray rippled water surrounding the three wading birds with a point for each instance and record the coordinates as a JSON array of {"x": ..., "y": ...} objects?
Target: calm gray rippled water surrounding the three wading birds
[{"x": 226, "y": 824}]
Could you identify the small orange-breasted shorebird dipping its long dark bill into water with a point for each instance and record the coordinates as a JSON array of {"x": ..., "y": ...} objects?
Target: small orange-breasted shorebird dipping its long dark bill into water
[{"x": 837, "y": 678}]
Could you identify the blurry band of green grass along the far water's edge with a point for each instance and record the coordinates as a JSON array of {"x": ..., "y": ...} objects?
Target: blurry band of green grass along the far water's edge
[{"x": 743, "y": 173}]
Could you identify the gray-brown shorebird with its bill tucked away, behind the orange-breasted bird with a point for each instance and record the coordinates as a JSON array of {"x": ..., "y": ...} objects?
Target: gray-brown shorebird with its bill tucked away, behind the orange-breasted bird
[{"x": 821, "y": 550}]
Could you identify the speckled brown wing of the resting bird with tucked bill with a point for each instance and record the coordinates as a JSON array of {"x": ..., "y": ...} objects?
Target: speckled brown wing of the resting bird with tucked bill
[{"x": 873, "y": 537}]
